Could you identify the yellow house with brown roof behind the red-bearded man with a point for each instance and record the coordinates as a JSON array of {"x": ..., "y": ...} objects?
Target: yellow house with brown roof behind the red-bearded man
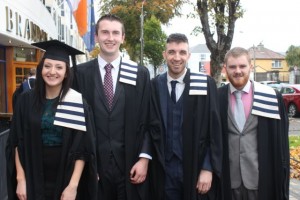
[{"x": 268, "y": 65}]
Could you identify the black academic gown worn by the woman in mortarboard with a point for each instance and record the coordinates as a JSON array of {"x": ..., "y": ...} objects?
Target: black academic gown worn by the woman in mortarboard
[{"x": 25, "y": 134}]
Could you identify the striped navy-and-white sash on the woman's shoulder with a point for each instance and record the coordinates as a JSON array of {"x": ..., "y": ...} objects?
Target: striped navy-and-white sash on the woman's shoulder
[{"x": 70, "y": 112}]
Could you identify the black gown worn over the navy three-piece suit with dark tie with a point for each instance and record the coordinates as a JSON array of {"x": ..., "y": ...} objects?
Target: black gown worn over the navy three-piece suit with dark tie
[{"x": 201, "y": 129}]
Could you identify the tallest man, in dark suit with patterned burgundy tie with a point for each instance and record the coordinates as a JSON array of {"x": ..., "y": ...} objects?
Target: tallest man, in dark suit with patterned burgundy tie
[{"x": 118, "y": 91}]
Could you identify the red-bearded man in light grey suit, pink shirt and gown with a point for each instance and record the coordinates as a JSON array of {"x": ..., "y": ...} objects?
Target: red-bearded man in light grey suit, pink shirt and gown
[{"x": 255, "y": 135}]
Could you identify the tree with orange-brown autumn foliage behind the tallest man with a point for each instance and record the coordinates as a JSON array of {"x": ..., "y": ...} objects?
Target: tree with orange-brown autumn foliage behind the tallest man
[{"x": 130, "y": 12}]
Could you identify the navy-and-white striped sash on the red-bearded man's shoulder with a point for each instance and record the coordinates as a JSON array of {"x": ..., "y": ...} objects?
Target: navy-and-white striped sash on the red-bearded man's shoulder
[{"x": 265, "y": 102}]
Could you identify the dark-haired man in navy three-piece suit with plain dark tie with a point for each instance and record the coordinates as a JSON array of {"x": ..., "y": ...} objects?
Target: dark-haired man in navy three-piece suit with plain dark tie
[{"x": 186, "y": 129}]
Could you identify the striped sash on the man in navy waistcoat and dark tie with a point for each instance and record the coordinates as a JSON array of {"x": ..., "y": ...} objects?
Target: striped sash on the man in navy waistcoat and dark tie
[{"x": 198, "y": 83}]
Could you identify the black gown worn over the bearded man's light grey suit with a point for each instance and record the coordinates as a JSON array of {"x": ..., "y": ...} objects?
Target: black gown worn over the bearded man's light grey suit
[{"x": 273, "y": 152}]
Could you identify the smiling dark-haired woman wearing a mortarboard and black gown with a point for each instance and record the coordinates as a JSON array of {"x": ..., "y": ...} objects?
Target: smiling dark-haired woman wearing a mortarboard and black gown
[{"x": 51, "y": 151}]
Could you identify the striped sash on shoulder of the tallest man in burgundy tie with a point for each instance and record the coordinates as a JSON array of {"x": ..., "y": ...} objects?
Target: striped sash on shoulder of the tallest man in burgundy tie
[{"x": 128, "y": 72}]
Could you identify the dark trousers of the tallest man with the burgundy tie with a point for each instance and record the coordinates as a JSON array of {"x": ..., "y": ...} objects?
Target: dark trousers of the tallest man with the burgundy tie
[{"x": 112, "y": 182}]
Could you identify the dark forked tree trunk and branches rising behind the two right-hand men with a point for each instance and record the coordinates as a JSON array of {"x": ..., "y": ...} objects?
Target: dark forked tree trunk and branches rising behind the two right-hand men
[{"x": 218, "y": 19}]
